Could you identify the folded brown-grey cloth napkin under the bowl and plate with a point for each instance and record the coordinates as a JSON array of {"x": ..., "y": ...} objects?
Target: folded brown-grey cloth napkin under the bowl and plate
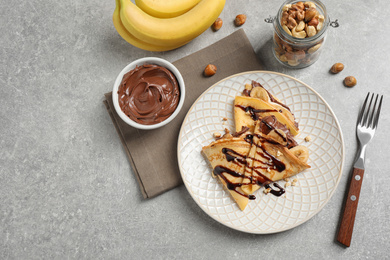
[{"x": 153, "y": 153}]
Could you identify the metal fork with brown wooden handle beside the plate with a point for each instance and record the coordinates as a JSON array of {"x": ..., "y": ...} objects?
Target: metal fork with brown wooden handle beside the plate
[{"x": 366, "y": 125}]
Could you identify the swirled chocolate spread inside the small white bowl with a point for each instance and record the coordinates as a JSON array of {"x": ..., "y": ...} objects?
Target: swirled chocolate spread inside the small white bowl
[{"x": 148, "y": 94}]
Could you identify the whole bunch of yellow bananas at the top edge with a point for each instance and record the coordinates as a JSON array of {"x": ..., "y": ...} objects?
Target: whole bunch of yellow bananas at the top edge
[{"x": 162, "y": 25}]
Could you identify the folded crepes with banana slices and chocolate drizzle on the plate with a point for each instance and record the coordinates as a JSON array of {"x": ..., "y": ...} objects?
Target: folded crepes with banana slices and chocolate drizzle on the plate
[{"x": 262, "y": 151}]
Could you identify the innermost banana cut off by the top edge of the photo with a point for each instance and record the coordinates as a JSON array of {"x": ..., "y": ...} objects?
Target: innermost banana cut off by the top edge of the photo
[{"x": 166, "y": 8}]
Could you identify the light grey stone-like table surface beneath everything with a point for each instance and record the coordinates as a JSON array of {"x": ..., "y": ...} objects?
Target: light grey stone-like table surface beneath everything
[{"x": 66, "y": 186}]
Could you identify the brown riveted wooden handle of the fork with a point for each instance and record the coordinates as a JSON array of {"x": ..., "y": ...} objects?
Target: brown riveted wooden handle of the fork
[{"x": 348, "y": 218}]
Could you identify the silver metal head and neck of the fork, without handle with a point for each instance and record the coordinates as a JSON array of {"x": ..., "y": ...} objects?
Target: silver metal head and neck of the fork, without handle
[{"x": 366, "y": 125}]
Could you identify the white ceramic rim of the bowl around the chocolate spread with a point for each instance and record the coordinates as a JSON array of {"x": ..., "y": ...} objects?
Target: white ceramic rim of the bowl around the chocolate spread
[{"x": 131, "y": 66}]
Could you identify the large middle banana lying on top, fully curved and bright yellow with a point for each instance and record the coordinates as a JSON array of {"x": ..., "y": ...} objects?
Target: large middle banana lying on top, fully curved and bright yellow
[{"x": 170, "y": 31}]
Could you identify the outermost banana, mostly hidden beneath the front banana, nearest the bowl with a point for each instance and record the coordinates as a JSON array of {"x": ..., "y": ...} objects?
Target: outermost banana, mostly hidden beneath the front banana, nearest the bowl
[{"x": 133, "y": 40}]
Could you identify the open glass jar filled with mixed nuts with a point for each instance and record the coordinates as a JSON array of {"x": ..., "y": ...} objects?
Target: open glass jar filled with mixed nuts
[{"x": 299, "y": 33}]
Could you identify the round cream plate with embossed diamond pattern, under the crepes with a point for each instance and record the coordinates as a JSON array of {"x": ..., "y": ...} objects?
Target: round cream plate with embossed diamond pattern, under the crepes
[{"x": 268, "y": 213}]
